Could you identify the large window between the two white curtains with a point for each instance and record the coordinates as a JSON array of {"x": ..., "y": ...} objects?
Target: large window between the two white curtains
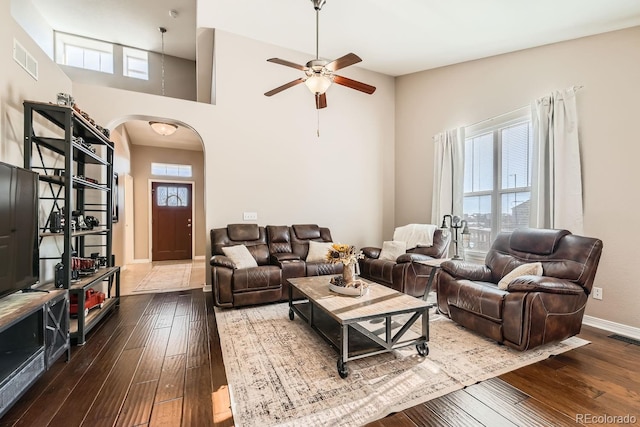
[{"x": 497, "y": 177}]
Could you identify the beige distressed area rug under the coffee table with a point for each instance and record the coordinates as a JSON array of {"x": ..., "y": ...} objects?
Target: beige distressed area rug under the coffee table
[{"x": 280, "y": 372}]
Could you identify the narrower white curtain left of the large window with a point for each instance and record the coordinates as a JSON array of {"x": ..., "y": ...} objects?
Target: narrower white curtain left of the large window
[{"x": 448, "y": 174}]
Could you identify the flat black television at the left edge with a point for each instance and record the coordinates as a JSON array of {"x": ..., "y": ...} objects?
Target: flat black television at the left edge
[{"x": 19, "y": 251}]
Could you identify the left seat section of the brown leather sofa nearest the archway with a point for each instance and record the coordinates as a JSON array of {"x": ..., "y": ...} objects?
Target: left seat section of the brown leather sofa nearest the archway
[{"x": 238, "y": 287}]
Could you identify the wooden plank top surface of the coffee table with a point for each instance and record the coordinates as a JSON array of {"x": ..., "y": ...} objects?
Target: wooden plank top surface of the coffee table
[{"x": 378, "y": 302}]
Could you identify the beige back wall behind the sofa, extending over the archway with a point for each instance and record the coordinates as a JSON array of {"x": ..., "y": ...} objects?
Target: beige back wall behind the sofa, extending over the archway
[{"x": 262, "y": 154}]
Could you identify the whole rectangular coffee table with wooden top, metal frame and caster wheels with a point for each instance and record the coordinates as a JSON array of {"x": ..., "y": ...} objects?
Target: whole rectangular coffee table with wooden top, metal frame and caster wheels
[{"x": 362, "y": 326}]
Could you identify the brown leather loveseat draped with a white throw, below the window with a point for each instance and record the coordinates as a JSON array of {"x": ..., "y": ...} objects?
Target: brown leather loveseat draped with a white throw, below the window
[{"x": 403, "y": 274}]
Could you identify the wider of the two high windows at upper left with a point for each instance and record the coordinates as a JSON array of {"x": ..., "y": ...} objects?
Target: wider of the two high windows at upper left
[{"x": 84, "y": 53}]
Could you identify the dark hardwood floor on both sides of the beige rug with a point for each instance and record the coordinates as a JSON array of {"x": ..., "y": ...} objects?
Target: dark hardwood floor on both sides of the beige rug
[{"x": 157, "y": 361}]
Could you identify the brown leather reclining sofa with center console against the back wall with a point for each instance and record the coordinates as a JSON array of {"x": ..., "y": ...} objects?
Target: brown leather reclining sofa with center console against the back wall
[{"x": 280, "y": 253}]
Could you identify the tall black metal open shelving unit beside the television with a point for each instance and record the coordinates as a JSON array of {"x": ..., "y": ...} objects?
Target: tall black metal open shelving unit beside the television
[{"x": 74, "y": 159}]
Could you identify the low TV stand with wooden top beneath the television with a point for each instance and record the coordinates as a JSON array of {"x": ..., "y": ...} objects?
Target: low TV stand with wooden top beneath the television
[{"x": 34, "y": 333}]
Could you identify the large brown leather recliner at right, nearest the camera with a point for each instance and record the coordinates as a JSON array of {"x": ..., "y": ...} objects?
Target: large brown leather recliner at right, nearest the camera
[{"x": 533, "y": 310}]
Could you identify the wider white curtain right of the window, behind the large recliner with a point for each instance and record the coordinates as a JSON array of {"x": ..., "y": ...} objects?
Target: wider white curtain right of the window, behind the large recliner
[{"x": 556, "y": 190}]
